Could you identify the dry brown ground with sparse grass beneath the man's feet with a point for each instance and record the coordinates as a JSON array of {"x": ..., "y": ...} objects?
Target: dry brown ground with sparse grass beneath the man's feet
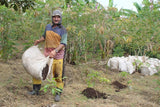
[{"x": 132, "y": 91}]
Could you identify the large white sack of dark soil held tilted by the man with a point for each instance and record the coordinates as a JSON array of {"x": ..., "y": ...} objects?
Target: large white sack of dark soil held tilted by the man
[{"x": 36, "y": 64}]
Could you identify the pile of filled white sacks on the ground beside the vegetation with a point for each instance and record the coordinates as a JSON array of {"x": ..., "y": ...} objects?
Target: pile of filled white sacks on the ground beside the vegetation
[{"x": 147, "y": 66}]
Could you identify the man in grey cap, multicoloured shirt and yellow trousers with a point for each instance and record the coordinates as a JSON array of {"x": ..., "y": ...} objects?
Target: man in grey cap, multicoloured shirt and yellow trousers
[{"x": 55, "y": 37}]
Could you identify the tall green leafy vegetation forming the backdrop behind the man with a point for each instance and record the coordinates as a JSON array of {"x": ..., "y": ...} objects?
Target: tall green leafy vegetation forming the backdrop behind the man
[{"x": 93, "y": 32}]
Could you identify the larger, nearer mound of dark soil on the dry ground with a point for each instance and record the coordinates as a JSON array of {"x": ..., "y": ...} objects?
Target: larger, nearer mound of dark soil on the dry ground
[{"x": 92, "y": 93}]
